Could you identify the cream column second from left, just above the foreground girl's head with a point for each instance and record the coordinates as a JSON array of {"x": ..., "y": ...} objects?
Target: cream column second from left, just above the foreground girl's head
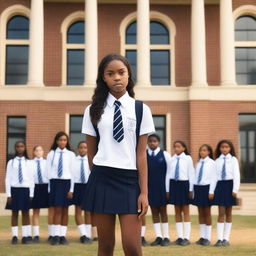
[{"x": 91, "y": 35}]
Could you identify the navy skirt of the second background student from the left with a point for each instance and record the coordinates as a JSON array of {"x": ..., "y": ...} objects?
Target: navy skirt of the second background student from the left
[{"x": 41, "y": 197}]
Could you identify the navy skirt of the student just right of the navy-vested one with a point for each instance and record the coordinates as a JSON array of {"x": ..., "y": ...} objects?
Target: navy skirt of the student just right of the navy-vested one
[{"x": 179, "y": 192}]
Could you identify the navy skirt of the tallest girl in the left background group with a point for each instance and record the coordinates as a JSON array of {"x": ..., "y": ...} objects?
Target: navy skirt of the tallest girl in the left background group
[{"x": 59, "y": 192}]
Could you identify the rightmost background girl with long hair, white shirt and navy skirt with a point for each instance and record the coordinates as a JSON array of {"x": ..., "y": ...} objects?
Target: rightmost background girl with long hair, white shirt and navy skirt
[{"x": 228, "y": 175}]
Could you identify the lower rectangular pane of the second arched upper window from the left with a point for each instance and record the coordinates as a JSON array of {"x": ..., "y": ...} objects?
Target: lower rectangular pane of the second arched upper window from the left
[{"x": 75, "y": 67}]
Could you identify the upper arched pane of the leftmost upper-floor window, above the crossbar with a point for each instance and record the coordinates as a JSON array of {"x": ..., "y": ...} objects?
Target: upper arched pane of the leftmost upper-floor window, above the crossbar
[{"x": 18, "y": 28}]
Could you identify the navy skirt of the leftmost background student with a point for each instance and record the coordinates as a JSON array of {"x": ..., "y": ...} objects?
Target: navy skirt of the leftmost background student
[{"x": 20, "y": 199}]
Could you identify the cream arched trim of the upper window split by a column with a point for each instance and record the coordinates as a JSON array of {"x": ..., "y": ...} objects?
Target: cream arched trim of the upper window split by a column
[{"x": 154, "y": 16}]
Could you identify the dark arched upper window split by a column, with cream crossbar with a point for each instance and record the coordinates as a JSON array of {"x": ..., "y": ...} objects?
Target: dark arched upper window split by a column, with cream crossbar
[{"x": 160, "y": 51}]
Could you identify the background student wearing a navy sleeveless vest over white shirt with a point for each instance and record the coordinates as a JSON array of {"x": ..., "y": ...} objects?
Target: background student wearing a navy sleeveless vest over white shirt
[{"x": 158, "y": 160}]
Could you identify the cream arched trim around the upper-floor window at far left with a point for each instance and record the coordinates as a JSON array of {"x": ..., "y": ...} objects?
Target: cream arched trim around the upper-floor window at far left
[{"x": 5, "y": 16}]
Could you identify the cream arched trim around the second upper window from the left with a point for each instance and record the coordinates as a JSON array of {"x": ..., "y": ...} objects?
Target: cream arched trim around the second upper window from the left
[{"x": 69, "y": 20}]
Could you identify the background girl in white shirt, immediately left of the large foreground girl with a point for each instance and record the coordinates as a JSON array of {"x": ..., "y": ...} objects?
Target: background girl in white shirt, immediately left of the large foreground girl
[{"x": 81, "y": 172}]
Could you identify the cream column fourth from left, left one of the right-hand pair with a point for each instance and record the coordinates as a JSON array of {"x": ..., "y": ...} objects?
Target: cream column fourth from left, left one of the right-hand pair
[{"x": 199, "y": 76}]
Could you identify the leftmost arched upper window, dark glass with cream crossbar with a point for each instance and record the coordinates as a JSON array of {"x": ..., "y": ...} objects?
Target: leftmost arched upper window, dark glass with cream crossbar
[{"x": 17, "y": 43}]
